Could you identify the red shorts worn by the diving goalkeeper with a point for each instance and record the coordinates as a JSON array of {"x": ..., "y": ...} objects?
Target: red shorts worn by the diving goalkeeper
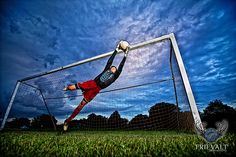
[{"x": 90, "y": 89}]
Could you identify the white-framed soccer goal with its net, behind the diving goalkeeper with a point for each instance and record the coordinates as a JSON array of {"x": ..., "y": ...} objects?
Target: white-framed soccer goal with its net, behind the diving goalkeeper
[{"x": 152, "y": 93}]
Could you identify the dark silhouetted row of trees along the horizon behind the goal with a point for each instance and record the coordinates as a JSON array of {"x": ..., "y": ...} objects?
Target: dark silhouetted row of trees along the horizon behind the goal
[{"x": 161, "y": 116}]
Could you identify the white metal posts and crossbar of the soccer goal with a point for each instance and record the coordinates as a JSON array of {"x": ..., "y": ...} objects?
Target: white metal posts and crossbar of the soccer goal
[{"x": 180, "y": 64}]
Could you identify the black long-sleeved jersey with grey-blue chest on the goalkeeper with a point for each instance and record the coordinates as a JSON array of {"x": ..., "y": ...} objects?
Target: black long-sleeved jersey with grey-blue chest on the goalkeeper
[{"x": 106, "y": 78}]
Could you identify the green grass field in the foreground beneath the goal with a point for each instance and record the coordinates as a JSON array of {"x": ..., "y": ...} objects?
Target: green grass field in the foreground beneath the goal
[{"x": 108, "y": 143}]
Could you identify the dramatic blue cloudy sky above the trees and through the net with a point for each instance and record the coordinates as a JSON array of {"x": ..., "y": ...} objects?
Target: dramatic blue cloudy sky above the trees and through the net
[{"x": 41, "y": 35}]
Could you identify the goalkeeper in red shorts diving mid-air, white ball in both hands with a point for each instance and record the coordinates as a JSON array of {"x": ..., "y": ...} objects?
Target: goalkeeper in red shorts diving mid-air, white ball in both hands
[{"x": 92, "y": 87}]
